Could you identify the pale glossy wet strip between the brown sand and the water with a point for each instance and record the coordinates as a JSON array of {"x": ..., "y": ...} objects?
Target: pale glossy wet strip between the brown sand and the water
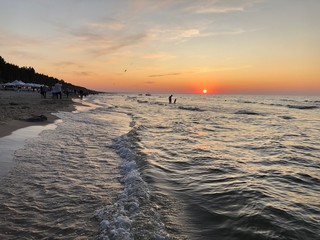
[{"x": 9, "y": 144}]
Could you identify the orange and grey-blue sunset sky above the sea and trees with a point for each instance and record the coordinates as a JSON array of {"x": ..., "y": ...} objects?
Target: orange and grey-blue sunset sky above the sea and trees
[{"x": 168, "y": 46}]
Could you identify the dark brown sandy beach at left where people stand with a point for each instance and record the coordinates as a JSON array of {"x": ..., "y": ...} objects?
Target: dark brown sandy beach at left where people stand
[{"x": 23, "y": 109}]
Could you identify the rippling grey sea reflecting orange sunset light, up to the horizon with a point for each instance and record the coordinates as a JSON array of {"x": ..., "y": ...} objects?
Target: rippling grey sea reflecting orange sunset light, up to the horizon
[{"x": 133, "y": 166}]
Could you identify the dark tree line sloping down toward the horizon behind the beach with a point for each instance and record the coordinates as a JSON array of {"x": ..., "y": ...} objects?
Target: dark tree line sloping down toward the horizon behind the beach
[{"x": 10, "y": 72}]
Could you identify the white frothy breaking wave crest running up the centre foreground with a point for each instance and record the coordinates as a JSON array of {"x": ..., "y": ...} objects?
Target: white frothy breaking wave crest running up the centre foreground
[{"x": 133, "y": 215}]
